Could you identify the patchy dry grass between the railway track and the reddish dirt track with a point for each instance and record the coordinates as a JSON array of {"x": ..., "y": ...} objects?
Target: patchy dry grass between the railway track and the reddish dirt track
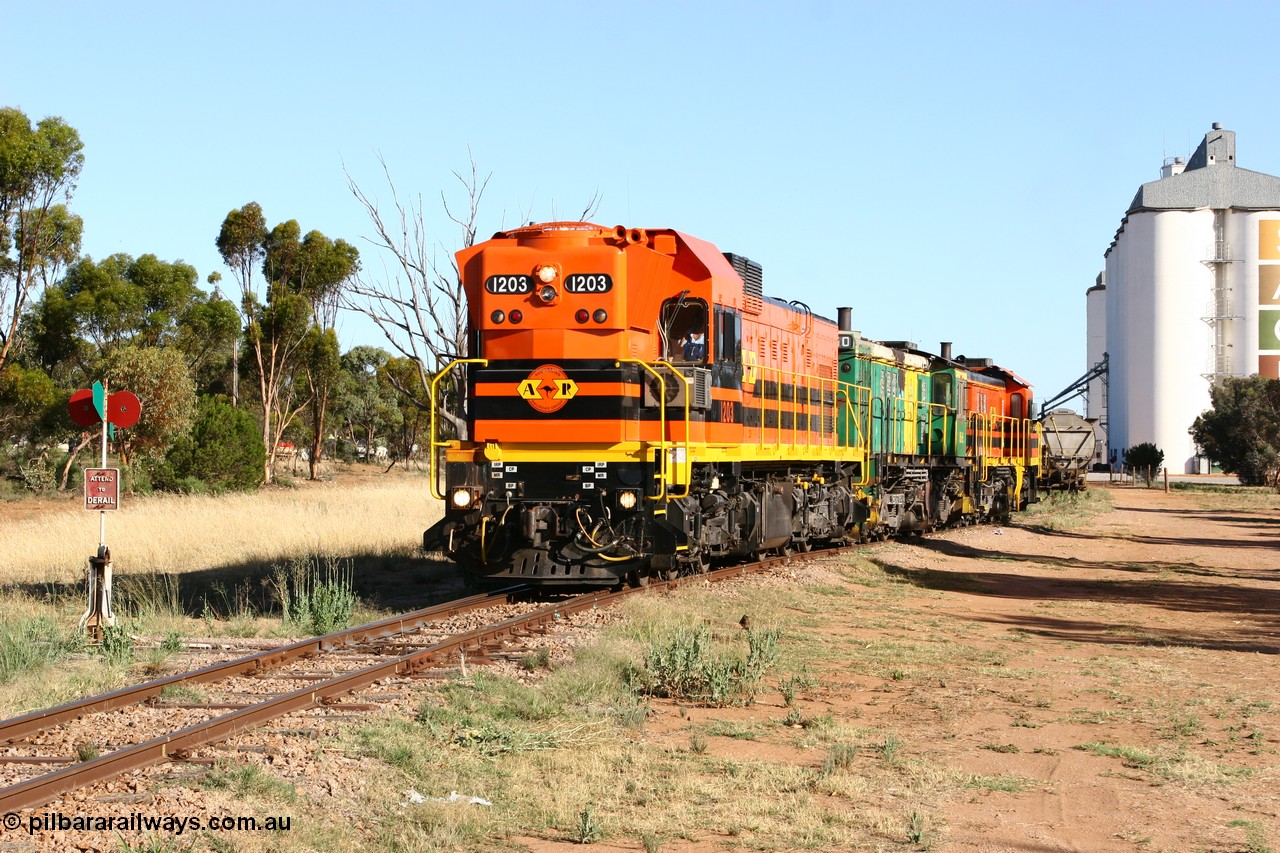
[{"x": 848, "y": 786}]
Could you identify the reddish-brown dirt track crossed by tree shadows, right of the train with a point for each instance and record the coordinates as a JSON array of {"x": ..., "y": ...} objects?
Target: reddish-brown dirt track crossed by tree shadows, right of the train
[{"x": 1150, "y": 637}]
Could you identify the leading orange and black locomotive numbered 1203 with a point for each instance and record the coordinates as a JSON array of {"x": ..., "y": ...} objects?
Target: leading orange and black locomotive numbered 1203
[{"x": 605, "y": 444}]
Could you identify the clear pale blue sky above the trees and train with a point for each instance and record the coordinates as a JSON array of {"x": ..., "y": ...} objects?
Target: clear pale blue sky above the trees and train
[{"x": 952, "y": 171}]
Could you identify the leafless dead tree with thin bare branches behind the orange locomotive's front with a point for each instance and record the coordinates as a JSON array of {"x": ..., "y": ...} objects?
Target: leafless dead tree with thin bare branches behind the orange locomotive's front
[{"x": 420, "y": 305}]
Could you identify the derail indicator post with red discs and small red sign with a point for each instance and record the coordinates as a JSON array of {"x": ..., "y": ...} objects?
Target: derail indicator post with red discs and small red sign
[{"x": 103, "y": 494}]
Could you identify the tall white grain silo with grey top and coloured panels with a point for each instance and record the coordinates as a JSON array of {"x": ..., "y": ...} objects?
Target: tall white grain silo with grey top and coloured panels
[{"x": 1192, "y": 290}]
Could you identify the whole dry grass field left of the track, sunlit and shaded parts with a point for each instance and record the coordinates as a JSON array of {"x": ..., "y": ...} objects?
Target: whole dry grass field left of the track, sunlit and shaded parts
[{"x": 198, "y": 567}]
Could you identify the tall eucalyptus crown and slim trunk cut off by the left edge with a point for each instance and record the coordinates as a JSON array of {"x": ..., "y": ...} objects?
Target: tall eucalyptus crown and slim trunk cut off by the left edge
[{"x": 39, "y": 168}]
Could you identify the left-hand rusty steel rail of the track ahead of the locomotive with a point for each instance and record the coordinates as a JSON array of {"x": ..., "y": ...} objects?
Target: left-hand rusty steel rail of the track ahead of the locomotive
[{"x": 25, "y": 727}]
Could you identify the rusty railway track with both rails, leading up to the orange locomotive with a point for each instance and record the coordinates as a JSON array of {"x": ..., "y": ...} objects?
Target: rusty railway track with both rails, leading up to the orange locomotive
[{"x": 400, "y": 646}]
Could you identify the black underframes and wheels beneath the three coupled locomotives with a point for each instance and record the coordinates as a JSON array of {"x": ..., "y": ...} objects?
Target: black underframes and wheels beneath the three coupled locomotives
[{"x": 568, "y": 523}]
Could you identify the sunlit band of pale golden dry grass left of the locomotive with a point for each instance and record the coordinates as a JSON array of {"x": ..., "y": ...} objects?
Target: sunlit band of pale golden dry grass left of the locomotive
[{"x": 177, "y": 535}]
